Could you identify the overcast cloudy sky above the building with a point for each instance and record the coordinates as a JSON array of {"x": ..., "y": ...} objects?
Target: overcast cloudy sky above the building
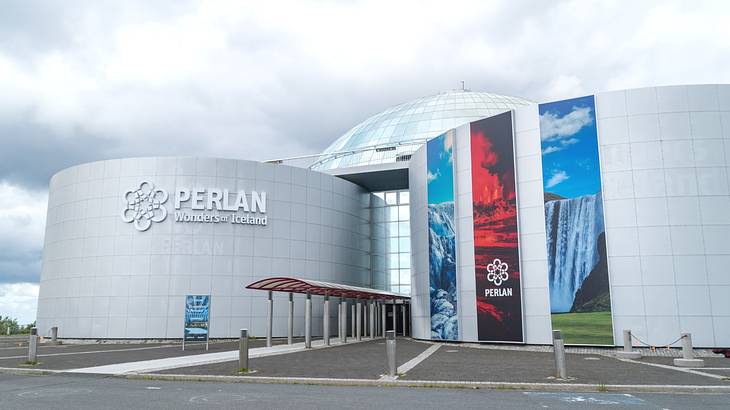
[{"x": 89, "y": 80}]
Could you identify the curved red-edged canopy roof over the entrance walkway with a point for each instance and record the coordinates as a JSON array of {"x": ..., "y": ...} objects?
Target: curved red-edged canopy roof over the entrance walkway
[{"x": 315, "y": 287}]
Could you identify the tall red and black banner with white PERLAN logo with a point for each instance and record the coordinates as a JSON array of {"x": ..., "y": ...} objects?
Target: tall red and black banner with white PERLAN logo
[{"x": 496, "y": 250}]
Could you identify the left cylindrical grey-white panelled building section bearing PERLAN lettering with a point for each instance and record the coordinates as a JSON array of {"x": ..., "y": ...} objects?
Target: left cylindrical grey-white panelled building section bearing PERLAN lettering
[{"x": 105, "y": 278}]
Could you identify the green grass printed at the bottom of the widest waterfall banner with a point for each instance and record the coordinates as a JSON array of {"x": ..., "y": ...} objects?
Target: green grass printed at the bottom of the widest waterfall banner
[{"x": 584, "y": 328}]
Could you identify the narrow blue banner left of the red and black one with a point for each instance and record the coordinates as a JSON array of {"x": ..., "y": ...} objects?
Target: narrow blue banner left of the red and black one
[{"x": 442, "y": 238}]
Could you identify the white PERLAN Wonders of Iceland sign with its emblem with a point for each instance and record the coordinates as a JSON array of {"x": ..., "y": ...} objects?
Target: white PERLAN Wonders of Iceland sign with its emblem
[{"x": 146, "y": 204}]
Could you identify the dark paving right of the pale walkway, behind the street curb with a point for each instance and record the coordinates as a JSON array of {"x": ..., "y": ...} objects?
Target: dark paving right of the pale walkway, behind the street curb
[{"x": 422, "y": 361}]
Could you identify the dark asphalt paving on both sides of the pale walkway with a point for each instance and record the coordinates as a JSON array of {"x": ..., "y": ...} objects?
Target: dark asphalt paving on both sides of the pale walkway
[{"x": 367, "y": 360}]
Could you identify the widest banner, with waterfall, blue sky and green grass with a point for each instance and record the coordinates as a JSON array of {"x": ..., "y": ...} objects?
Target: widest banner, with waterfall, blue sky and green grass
[{"x": 580, "y": 300}]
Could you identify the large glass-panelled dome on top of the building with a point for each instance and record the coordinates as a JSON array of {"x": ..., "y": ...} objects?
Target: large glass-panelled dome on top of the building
[{"x": 398, "y": 131}]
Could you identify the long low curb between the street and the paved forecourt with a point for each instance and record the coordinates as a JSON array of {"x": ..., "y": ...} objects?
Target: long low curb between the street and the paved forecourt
[{"x": 548, "y": 387}]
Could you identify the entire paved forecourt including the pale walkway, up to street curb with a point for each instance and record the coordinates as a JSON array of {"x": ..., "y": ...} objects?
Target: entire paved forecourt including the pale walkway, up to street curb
[{"x": 419, "y": 363}]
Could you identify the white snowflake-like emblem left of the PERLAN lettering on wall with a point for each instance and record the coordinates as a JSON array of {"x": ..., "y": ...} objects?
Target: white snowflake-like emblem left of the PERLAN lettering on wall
[{"x": 144, "y": 206}]
